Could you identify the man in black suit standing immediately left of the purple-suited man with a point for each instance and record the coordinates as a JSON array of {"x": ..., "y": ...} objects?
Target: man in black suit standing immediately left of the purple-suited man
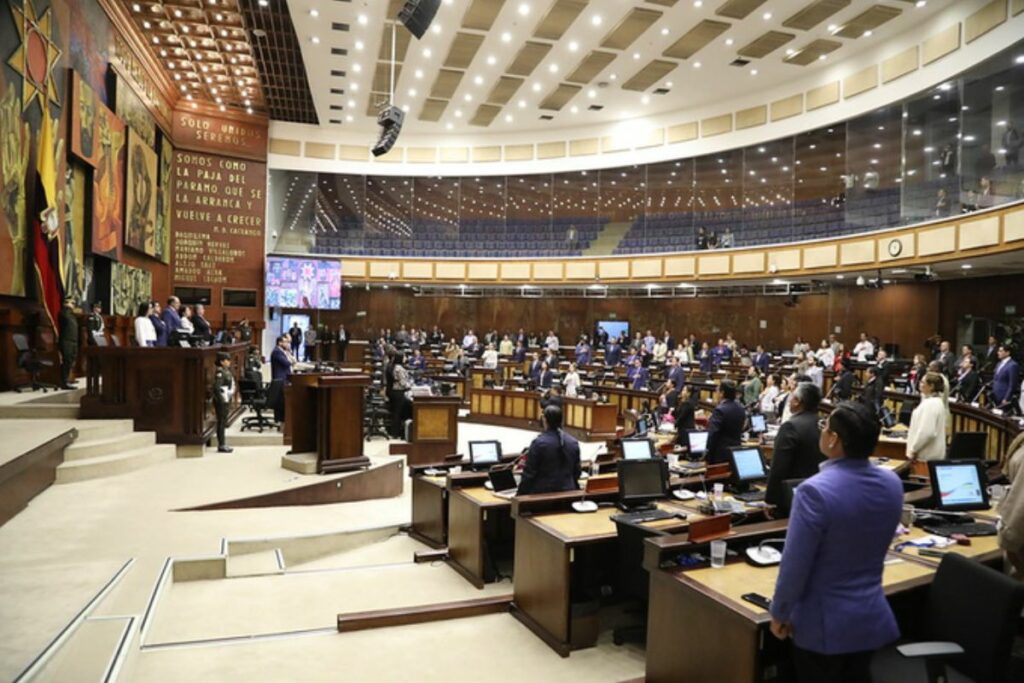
[{"x": 796, "y": 455}]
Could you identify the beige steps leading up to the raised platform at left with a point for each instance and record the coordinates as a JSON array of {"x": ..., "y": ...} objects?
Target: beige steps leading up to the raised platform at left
[{"x": 108, "y": 448}]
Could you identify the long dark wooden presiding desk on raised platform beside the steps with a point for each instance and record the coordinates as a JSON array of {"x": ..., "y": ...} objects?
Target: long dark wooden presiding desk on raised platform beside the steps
[{"x": 164, "y": 391}]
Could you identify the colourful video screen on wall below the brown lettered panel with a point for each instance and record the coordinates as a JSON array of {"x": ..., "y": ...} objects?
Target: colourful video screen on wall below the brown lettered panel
[{"x": 304, "y": 283}]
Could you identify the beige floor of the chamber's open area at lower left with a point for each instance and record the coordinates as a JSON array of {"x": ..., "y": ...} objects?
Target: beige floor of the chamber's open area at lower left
[{"x": 59, "y": 552}]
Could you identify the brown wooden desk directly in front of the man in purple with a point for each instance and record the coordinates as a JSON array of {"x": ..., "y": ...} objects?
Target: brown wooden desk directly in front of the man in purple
[{"x": 734, "y": 643}]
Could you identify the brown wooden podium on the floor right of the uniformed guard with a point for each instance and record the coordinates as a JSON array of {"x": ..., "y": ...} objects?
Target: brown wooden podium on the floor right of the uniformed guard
[{"x": 339, "y": 422}]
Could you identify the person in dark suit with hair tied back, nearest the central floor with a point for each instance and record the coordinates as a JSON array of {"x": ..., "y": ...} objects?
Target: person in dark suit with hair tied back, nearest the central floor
[{"x": 553, "y": 459}]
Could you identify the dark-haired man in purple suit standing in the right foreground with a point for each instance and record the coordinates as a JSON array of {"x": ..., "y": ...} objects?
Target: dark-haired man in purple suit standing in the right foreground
[{"x": 829, "y": 595}]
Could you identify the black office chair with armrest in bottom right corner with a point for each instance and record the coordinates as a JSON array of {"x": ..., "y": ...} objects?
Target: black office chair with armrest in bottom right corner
[{"x": 973, "y": 614}]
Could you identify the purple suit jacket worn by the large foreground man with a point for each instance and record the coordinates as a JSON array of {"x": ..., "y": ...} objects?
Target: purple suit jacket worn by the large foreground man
[{"x": 830, "y": 584}]
